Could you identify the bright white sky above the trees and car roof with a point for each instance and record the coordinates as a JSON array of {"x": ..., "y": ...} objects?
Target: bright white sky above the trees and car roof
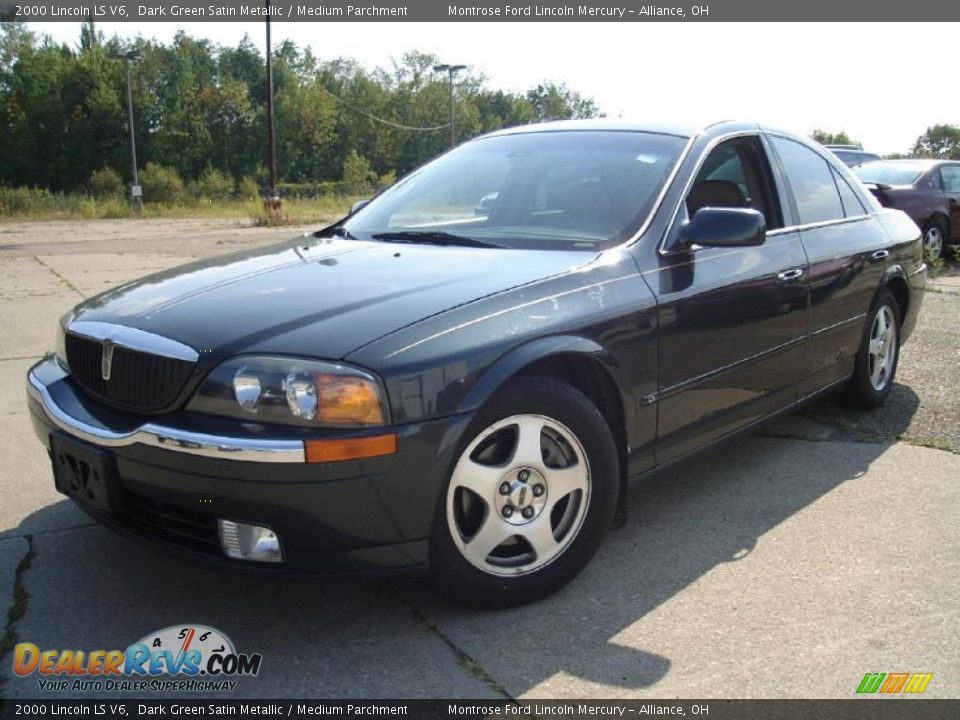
[{"x": 860, "y": 78}]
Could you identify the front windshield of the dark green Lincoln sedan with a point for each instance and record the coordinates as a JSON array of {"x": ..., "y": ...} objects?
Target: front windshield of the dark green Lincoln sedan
[{"x": 571, "y": 189}]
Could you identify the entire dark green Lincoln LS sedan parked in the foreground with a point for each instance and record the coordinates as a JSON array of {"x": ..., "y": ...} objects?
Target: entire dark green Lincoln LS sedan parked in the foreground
[{"x": 464, "y": 373}]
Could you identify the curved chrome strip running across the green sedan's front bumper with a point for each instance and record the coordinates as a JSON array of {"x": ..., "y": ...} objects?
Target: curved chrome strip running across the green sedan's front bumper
[{"x": 173, "y": 439}]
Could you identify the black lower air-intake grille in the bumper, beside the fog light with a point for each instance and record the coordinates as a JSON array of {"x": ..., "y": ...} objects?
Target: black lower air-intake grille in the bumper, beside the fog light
[{"x": 171, "y": 524}]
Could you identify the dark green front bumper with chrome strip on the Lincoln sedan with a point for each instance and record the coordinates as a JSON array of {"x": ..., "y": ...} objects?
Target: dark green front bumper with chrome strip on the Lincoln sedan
[{"x": 176, "y": 479}]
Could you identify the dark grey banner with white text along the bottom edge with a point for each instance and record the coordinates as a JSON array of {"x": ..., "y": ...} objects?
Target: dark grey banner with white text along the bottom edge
[{"x": 854, "y": 709}]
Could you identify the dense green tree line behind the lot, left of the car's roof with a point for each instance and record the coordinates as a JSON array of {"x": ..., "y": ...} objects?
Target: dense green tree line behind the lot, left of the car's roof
[{"x": 200, "y": 113}]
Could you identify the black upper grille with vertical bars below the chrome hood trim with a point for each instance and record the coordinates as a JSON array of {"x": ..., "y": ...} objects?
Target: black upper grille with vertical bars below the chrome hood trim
[{"x": 139, "y": 381}]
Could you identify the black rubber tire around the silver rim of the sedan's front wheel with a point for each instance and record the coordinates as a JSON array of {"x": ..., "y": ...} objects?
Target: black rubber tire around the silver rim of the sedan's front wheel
[{"x": 565, "y": 406}]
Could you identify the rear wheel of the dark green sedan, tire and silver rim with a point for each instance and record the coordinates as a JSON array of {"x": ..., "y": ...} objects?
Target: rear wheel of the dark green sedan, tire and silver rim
[{"x": 876, "y": 364}]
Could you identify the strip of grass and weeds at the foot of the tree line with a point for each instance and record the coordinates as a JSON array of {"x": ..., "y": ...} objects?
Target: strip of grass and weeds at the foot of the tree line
[{"x": 29, "y": 204}]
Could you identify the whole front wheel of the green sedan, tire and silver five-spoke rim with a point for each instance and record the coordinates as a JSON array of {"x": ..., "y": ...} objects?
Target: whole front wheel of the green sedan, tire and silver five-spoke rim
[{"x": 529, "y": 498}]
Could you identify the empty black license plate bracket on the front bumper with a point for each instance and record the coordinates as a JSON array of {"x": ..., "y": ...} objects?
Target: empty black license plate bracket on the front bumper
[{"x": 85, "y": 473}]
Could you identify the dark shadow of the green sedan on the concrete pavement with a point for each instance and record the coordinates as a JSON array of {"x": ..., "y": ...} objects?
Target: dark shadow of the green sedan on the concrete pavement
[{"x": 397, "y": 638}]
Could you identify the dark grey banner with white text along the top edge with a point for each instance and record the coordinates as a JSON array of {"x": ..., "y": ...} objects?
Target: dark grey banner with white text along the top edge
[{"x": 186, "y": 11}]
